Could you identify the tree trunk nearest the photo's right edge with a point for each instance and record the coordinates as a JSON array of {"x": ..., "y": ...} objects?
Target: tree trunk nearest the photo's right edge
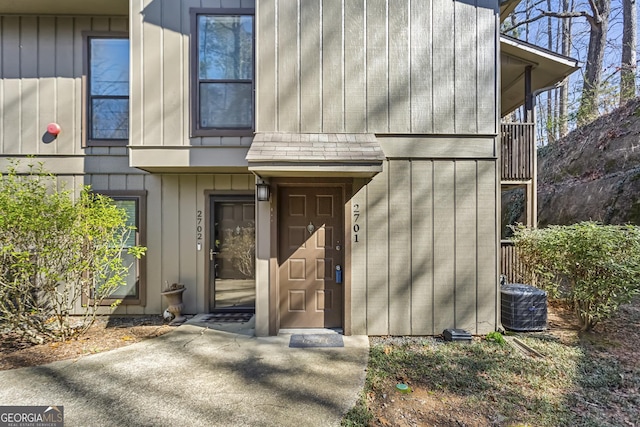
[{"x": 628, "y": 64}]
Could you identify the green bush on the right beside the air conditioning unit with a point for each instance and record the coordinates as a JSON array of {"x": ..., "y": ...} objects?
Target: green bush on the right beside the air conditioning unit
[{"x": 596, "y": 267}]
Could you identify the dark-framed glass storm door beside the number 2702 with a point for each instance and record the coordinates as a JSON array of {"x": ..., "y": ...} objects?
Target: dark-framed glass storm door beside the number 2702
[{"x": 232, "y": 254}]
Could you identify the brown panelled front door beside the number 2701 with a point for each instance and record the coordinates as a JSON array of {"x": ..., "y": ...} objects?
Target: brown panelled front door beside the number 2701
[{"x": 309, "y": 250}]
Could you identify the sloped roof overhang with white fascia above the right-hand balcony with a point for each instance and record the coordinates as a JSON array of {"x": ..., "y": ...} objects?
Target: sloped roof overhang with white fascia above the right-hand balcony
[{"x": 547, "y": 70}]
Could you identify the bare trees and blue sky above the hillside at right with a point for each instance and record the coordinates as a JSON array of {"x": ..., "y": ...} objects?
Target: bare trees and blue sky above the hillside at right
[{"x": 597, "y": 41}]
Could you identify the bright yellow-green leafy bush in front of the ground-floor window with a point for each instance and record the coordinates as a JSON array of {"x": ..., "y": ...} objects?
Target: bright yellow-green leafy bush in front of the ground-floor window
[{"x": 57, "y": 256}]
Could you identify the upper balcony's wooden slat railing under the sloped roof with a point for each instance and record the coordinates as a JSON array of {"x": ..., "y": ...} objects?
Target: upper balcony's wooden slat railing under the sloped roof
[{"x": 517, "y": 151}]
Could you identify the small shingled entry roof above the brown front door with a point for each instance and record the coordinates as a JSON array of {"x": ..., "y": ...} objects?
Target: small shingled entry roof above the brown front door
[{"x": 316, "y": 154}]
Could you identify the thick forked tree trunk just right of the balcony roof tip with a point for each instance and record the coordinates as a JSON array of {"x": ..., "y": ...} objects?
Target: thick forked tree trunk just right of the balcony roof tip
[{"x": 599, "y": 23}]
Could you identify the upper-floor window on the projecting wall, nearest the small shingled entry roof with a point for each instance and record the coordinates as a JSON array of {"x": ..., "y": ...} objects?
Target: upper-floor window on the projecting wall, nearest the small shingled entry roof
[{"x": 223, "y": 80}]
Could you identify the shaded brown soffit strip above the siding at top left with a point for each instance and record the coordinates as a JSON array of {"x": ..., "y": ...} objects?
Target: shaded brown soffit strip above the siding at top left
[{"x": 64, "y": 7}]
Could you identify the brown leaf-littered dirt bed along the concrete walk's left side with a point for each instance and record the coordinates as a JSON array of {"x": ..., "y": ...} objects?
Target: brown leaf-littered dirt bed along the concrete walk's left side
[{"x": 104, "y": 335}]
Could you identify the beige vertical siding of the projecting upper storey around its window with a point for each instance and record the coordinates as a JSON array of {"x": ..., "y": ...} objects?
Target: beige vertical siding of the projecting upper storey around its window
[{"x": 418, "y": 66}]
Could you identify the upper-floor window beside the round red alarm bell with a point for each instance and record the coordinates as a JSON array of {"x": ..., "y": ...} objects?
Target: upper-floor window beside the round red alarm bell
[{"x": 108, "y": 90}]
